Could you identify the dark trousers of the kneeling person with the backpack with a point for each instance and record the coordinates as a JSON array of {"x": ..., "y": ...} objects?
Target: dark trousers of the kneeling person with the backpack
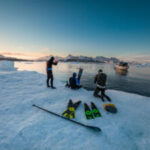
[{"x": 97, "y": 90}]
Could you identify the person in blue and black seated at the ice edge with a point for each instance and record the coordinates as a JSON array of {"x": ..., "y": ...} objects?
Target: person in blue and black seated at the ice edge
[{"x": 74, "y": 82}]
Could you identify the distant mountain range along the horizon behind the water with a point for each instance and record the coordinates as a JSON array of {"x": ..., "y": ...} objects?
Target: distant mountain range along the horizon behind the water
[{"x": 71, "y": 58}]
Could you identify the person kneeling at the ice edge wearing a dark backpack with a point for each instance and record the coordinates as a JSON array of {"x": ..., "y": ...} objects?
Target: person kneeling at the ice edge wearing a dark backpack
[{"x": 100, "y": 80}]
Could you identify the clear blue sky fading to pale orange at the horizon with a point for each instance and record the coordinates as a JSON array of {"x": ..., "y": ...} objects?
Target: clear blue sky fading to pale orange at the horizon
[{"x": 110, "y": 28}]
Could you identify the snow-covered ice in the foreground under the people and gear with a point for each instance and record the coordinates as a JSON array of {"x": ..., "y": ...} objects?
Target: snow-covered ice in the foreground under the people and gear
[{"x": 23, "y": 127}]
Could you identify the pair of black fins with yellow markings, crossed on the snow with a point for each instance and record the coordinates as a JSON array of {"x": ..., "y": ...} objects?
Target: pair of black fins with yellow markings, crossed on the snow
[{"x": 71, "y": 108}]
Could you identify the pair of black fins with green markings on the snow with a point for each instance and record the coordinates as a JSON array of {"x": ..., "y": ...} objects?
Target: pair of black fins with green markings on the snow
[{"x": 91, "y": 114}]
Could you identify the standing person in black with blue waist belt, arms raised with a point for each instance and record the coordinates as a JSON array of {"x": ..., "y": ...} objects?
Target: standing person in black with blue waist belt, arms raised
[{"x": 49, "y": 71}]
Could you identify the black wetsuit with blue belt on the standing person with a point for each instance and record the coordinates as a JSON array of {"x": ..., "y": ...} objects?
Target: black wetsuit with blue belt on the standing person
[{"x": 50, "y": 63}]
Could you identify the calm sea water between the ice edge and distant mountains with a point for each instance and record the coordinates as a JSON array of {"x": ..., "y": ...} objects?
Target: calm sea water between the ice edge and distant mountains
[{"x": 136, "y": 80}]
